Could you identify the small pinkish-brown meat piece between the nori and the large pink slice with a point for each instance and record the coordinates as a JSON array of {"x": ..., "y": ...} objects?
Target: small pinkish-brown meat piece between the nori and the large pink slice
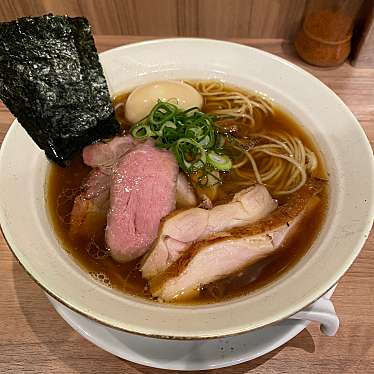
[{"x": 105, "y": 154}]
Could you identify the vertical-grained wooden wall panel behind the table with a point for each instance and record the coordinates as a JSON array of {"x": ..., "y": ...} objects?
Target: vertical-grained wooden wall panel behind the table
[{"x": 222, "y": 19}]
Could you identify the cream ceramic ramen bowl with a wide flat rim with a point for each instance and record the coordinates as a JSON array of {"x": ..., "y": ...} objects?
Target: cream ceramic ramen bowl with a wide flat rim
[{"x": 24, "y": 218}]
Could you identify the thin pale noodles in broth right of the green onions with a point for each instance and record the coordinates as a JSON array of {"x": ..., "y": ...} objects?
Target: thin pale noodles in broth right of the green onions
[{"x": 277, "y": 159}]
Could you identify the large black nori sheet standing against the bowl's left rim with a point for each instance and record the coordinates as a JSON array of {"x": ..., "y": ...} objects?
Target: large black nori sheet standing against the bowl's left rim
[{"x": 52, "y": 81}]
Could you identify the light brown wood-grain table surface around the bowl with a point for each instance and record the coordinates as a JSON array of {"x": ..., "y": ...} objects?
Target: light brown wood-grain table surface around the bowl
[{"x": 34, "y": 339}]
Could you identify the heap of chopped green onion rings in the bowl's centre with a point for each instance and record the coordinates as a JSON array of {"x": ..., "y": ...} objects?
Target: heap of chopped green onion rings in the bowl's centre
[{"x": 191, "y": 135}]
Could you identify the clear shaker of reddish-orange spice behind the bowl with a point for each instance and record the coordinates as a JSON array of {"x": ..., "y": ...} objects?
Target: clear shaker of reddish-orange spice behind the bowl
[{"x": 324, "y": 38}]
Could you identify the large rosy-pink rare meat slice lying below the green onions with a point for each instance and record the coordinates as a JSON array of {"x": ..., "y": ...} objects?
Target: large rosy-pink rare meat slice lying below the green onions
[{"x": 142, "y": 192}]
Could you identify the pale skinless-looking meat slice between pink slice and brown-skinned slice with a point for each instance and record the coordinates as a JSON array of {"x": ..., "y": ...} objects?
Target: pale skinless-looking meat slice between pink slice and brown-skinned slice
[{"x": 182, "y": 228}]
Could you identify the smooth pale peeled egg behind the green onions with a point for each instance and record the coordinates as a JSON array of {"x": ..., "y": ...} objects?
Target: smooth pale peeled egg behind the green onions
[{"x": 141, "y": 101}]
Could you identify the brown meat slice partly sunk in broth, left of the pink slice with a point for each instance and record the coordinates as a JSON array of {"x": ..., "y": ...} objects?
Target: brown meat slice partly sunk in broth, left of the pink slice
[{"x": 90, "y": 206}]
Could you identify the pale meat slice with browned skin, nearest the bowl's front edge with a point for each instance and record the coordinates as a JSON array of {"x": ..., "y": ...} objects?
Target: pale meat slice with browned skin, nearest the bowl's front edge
[{"x": 210, "y": 260}]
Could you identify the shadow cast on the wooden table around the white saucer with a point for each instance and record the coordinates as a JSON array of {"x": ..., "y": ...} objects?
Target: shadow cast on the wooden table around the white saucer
[{"x": 70, "y": 350}]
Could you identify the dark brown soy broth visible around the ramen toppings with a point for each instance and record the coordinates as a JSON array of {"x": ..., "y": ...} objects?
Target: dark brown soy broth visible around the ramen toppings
[{"x": 65, "y": 183}]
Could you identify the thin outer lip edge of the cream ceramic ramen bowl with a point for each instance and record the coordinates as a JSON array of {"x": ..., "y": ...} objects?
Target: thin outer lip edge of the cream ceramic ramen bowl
[{"x": 333, "y": 279}]
